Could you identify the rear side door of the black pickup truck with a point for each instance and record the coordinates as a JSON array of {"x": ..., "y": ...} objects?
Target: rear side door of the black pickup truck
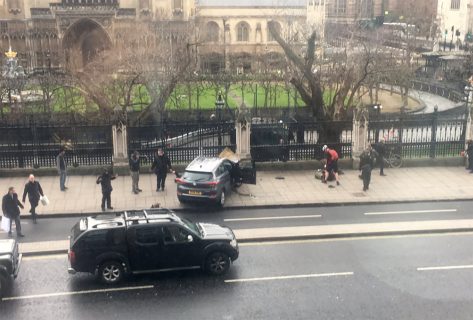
[{"x": 144, "y": 247}]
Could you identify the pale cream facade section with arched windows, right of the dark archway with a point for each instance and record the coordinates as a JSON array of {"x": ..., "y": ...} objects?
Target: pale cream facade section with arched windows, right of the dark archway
[{"x": 236, "y": 37}]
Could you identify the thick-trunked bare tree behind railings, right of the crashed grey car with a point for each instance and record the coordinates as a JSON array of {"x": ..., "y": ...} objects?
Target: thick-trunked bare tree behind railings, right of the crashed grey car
[{"x": 340, "y": 77}]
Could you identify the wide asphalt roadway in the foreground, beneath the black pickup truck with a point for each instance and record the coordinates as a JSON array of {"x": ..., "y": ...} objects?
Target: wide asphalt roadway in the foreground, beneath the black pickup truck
[{"x": 395, "y": 277}]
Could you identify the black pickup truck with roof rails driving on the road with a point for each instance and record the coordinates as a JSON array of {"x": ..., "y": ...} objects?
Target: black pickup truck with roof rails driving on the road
[{"x": 145, "y": 241}]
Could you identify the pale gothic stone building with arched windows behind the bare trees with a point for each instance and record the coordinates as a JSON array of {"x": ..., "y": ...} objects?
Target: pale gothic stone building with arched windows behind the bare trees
[{"x": 227, "y": 34}]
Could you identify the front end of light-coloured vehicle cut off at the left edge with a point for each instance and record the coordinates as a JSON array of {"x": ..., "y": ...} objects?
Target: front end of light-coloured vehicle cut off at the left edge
[{"x": 10, "y": 260}]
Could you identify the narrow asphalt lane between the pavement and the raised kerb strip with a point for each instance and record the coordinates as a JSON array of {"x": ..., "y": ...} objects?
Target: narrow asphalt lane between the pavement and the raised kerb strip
[{"x": 51, "y": 229}]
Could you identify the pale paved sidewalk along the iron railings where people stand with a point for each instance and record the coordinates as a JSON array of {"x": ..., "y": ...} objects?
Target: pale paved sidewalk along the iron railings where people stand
[{"x": 273, "y": 188}]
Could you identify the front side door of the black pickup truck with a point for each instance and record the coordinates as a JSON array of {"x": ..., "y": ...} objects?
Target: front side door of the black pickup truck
[{"x": 179, "y": 250}]
